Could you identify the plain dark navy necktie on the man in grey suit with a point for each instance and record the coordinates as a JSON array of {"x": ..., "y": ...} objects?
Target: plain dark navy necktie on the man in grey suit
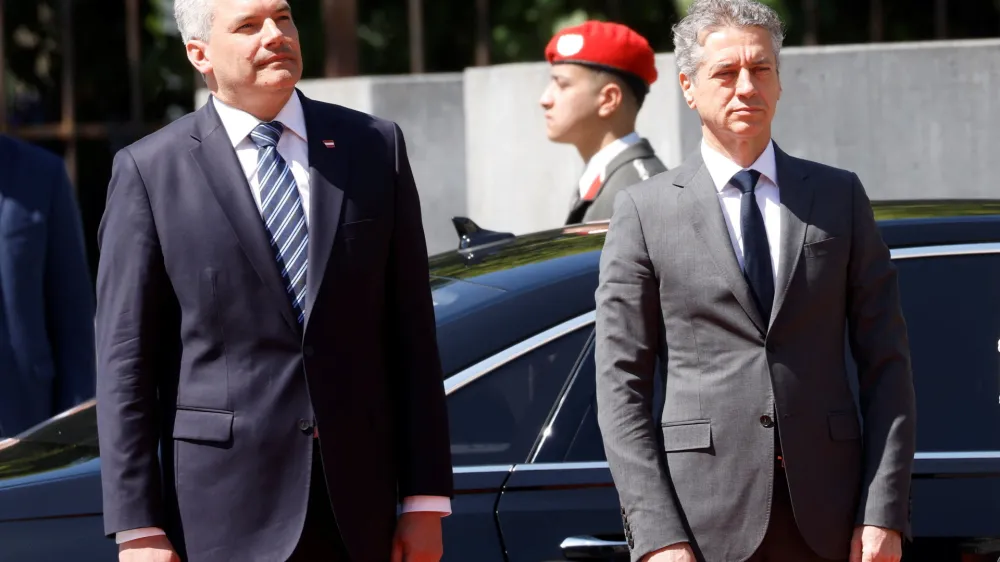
[{"x": 756, "y": 251}]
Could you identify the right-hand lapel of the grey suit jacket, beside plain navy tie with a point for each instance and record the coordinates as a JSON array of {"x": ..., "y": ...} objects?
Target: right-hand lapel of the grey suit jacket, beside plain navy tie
[{"x": 796, "y": 206}]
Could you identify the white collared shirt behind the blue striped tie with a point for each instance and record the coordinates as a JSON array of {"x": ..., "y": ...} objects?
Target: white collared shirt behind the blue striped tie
[{"x": 292, "y": 146}]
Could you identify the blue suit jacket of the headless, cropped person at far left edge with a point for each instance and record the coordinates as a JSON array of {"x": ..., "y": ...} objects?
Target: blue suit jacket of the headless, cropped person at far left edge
[{"x": 46, "y": 294}]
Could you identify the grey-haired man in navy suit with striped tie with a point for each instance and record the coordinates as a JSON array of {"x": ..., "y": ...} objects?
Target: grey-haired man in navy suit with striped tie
[{"x": 269, "y": 385}]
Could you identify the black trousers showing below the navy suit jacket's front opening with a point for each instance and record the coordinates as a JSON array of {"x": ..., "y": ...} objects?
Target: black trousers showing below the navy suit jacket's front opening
[{"x": 320, "y": 540}]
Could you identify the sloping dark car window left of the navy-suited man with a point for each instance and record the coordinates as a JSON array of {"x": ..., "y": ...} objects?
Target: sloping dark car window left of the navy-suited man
[{"x": 63, "y": 441}]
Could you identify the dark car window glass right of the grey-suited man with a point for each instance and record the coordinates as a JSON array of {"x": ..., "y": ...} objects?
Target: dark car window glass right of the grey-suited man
[{"x": 952, "y": 309}]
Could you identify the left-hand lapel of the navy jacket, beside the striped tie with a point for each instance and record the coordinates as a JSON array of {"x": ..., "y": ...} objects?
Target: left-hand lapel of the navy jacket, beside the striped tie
[{"x": 217, "y": 160}]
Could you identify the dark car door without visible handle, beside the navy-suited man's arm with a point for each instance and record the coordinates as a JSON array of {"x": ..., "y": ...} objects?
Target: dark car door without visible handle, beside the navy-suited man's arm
[{"x": 497, "y": 410}]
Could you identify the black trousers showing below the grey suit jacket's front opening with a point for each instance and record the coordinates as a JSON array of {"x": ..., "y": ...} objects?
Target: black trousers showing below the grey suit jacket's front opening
[{"x": 783, "y": 542}]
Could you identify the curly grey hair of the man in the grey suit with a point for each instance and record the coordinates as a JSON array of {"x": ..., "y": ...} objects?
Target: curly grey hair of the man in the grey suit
[{"x": 708, "y": 15}]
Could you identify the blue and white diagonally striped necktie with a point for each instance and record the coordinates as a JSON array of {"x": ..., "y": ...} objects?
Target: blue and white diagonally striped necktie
[{"x": 281, "y": 210}]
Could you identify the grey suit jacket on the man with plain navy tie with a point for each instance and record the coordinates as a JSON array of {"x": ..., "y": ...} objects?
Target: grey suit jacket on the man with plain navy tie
[{"x": 671, "y": 290}]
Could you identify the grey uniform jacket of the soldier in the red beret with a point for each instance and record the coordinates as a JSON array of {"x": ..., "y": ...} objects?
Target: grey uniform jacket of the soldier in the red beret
[{"x": 635, "y": 164}]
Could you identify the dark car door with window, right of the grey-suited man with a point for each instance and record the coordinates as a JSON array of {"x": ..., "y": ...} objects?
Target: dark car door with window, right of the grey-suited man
[{"x": 951, "y": 302}]
